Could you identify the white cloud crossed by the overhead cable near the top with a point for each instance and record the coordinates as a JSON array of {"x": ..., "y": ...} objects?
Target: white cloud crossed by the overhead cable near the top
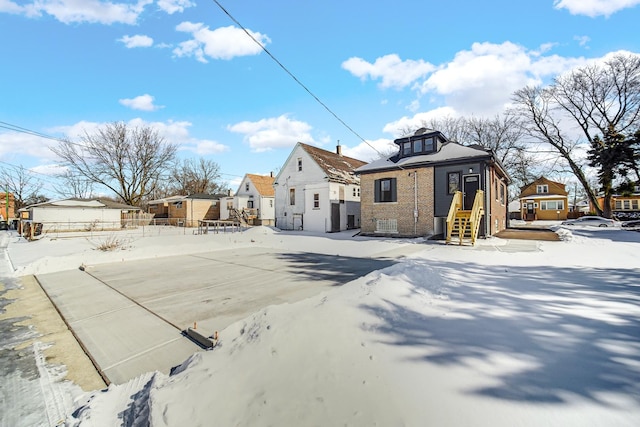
[{"x": 221, "y": 43}]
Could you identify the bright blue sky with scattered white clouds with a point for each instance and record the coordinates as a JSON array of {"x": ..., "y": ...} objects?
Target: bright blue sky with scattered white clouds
[{"x": 184, "y": 67}]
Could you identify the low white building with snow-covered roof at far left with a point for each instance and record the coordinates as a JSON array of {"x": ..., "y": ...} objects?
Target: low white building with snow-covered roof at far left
[{"x": 76, "y": 215}]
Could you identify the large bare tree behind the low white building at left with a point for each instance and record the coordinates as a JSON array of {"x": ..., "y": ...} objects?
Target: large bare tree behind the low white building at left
[{"x": 126, "y": 160}]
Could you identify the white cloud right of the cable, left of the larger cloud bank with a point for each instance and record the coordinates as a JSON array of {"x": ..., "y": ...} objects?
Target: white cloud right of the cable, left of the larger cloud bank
[{"x": 393, "y": 71}]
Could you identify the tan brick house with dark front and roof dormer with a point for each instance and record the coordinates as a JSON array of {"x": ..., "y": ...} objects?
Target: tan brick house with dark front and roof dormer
[{"x": 412, "y": 192}]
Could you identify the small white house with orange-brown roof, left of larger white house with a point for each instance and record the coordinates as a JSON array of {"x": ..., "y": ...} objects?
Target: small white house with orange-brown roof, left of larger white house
[{"x": 254, "y": 202}]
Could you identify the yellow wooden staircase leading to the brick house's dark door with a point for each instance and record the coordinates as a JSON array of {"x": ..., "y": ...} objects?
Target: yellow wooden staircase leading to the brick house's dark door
[{"x": 463, "y": 225}]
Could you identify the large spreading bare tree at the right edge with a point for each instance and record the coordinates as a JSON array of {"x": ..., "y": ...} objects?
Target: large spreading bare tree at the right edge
[{"x": 602, "y": 100}]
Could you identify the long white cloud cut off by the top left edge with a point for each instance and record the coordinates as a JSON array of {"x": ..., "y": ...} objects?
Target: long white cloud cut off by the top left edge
[{"x": 72, "y": 11}]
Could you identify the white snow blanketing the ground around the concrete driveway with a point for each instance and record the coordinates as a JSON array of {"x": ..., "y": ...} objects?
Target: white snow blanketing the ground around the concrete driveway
[{"x": 506, "y": 333}]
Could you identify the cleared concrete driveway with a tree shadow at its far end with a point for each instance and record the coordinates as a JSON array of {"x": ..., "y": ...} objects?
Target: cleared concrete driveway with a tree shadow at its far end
[{"x": 129, "y": 316}]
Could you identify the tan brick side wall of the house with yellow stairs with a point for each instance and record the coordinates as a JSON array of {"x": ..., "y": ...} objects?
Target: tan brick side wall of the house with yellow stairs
[{"x": 402, "y": 209}]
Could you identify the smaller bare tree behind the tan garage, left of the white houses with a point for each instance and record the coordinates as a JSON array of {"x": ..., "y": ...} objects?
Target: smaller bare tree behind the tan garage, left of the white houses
[{"x": 192, "y": 177}]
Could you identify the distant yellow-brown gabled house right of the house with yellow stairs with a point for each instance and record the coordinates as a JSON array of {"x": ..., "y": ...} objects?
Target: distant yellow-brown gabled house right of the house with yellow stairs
[{"x": 544, "y": 199}]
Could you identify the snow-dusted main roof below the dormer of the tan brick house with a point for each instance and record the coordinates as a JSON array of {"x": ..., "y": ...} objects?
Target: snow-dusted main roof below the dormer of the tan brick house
[{"x": 449, "y": 151}]
